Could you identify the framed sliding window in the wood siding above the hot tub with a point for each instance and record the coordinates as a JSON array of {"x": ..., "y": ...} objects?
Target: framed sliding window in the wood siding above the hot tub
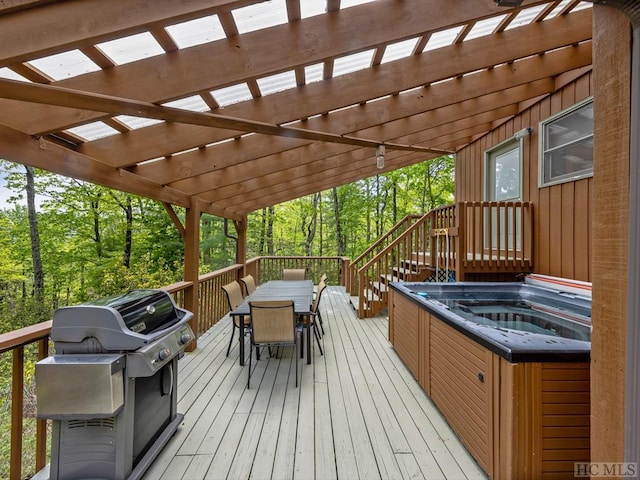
[{"x": 566, "y": 145}]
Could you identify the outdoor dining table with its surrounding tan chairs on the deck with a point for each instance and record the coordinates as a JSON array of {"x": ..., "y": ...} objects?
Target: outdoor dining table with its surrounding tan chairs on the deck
[{"x": 278, "y": 313}]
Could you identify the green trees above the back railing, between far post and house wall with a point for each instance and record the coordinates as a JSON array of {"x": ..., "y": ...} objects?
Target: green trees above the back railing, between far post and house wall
[{"x": 367, "y": 209}]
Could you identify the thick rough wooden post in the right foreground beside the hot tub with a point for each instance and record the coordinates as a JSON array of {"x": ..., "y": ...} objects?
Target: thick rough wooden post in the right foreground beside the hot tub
[{"x": 610, "y": 232}]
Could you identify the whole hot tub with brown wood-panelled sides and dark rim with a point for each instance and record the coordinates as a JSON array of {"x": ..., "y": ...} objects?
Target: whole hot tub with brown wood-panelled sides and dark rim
[{"x": 507, "y": 364}]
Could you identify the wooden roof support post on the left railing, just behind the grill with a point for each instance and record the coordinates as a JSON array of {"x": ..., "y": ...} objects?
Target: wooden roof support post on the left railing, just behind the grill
[{"x": 191, "y": 263}]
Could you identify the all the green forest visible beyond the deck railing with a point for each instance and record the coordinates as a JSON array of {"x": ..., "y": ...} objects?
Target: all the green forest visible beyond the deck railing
[{"x": 63, "y": 241}]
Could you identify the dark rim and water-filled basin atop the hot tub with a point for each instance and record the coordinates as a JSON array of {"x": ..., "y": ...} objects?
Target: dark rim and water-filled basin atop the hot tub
[{"x": 518, "y": 321}]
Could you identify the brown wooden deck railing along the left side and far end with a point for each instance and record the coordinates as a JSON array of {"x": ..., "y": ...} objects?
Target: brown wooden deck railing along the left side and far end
[{"x": 30, "y": 344}]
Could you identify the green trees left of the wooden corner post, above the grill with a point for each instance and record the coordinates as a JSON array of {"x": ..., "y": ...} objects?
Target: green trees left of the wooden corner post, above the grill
[{"x": 82, "y": 230}]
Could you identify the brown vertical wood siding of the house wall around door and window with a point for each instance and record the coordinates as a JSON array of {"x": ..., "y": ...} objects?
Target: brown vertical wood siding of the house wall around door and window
[{"x": 562, "y": 213}]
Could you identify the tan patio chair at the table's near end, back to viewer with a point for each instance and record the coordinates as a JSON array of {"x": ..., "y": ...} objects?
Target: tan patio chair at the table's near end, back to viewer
[{"x": 273, "y": 324}]
